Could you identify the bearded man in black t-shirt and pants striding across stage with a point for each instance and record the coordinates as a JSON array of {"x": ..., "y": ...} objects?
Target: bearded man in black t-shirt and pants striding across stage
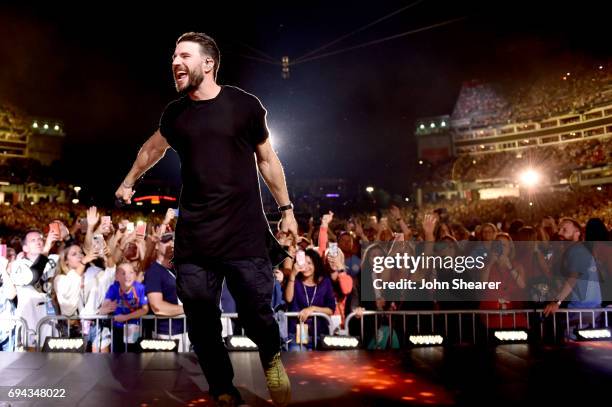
[{"x": 221, "y": 137}]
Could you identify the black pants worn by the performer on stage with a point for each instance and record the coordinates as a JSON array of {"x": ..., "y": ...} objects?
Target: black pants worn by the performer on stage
[{"x": 250, "y": 281}]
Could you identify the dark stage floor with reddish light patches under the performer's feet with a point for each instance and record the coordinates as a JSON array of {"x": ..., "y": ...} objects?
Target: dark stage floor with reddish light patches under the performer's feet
[{"x": 508, "y": 374}]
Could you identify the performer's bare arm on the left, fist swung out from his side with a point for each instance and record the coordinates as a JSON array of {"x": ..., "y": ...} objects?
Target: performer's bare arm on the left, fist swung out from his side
[{"x": 150, "y": 153}]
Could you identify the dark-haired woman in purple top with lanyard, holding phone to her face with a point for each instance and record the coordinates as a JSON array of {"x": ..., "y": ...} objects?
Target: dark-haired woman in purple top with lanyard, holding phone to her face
[{"x": 308, "y": 290}]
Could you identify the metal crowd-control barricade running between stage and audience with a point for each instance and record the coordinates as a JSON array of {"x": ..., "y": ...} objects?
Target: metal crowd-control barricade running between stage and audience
[{"x": 457, "y": 326}]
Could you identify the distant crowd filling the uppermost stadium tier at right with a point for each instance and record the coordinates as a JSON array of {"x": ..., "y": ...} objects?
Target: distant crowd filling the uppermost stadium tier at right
[{"x": 549, "y": 94}]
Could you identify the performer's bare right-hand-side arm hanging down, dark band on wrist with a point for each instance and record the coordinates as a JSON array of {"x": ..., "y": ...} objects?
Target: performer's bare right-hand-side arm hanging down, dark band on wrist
[{"x": 272, "y": 172}]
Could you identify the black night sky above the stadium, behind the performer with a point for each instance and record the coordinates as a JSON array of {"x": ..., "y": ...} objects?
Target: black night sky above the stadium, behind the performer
[{"x": 105, "y": 72}]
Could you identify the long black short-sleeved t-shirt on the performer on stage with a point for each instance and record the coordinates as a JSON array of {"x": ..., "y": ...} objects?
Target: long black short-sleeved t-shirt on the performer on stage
[{"x": 220, "y": 209}]
